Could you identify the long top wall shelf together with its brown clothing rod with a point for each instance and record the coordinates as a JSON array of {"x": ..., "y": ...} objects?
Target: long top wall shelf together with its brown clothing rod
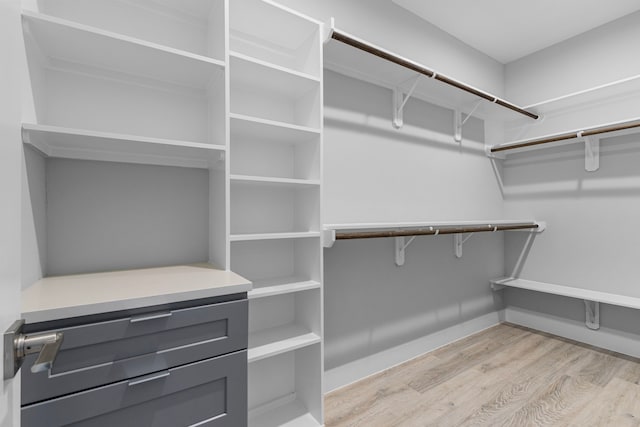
[{"x": 360, "y": 59}]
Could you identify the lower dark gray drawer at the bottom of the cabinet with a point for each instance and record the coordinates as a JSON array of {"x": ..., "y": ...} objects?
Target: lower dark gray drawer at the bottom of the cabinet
[{"x": 207, "y": 393}]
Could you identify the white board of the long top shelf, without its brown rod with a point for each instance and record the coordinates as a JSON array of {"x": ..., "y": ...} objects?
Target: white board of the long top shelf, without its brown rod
[{"x": 352, "y": 62}]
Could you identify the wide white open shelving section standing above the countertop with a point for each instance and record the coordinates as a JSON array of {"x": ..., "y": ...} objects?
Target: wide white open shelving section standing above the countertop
[{"x": 147, "y": 95}]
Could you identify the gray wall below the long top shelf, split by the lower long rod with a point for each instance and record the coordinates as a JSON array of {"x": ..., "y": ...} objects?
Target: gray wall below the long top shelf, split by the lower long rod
[{"x": 374, "y": 173}]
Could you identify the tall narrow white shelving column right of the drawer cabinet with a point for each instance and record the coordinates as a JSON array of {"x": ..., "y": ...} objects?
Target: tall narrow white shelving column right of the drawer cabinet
[{"x": 275, "y": 125}]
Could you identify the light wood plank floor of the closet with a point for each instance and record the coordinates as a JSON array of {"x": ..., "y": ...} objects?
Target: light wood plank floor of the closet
[{"x": 504, "y": 376}]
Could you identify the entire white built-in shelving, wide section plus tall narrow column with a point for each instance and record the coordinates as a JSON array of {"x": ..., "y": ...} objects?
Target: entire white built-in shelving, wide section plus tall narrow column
[{"x": 203, "y": 119}]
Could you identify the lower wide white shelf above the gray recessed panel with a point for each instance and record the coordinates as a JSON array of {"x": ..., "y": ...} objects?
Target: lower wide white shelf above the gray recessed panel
[{"x": 55, "y": 141}]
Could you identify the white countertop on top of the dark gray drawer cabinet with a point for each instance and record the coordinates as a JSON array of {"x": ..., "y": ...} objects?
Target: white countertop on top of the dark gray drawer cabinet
[{"x": 62, "y": 297}]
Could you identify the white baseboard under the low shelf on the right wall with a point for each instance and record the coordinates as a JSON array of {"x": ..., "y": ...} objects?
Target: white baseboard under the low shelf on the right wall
[{"x": 609, "y": 339}]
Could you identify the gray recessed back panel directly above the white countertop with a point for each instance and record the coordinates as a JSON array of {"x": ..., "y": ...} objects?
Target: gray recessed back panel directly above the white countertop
[{"x": 147, "y": 216}]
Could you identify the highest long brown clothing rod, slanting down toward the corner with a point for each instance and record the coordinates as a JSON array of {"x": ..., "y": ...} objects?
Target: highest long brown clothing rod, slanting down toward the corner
[{"x": 341, "y": 37}]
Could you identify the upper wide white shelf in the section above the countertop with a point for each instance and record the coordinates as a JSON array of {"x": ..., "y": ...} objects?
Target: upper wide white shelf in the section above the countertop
[{"x": 74, "y": 43}]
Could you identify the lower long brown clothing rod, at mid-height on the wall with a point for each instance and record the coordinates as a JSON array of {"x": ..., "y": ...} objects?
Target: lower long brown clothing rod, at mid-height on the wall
[{"x": 432, "y": 231}]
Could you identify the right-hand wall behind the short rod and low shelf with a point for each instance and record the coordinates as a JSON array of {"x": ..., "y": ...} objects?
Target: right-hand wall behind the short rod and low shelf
[{"x": 591, "y": 240}]
